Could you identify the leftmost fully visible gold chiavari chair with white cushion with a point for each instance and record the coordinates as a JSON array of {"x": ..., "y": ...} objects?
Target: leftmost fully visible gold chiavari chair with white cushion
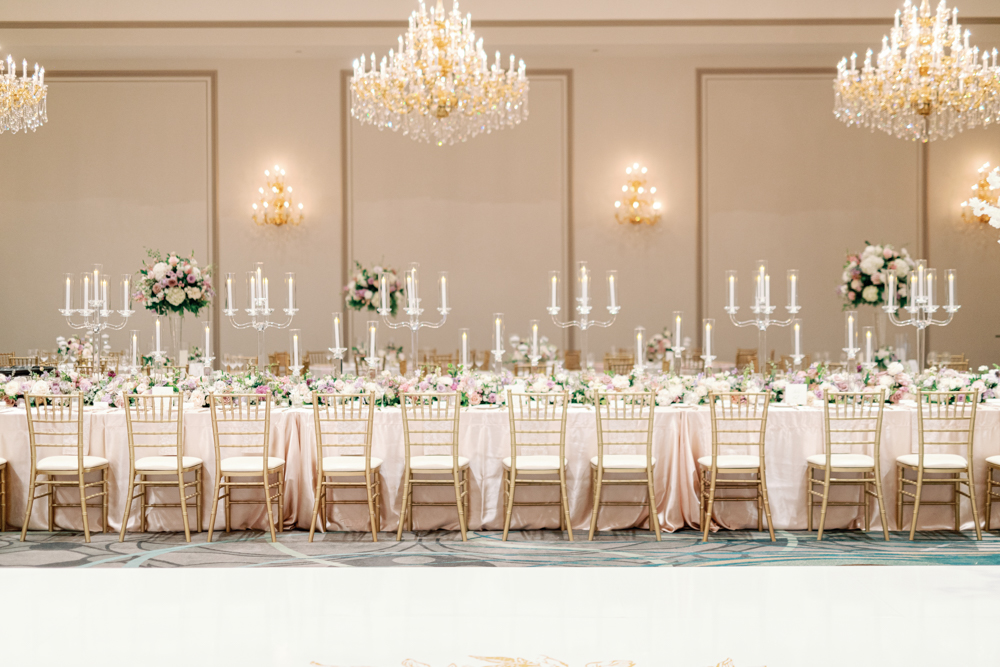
[{"x": 56, "y": 422}]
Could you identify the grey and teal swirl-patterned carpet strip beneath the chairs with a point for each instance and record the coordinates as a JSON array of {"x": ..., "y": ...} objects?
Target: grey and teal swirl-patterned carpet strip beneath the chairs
[{"x": 485, "y": 549}]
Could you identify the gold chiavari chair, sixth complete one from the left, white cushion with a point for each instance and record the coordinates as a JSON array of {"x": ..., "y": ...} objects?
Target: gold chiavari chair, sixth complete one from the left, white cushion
[{"x": 537, "y": 423}]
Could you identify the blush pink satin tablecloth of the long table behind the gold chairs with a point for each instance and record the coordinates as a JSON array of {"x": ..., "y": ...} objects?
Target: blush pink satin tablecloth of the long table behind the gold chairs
[{"x": 680, "y": 436}]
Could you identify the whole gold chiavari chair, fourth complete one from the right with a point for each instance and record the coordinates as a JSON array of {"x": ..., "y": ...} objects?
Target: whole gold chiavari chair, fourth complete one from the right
[{"x": 624, "y": 420}]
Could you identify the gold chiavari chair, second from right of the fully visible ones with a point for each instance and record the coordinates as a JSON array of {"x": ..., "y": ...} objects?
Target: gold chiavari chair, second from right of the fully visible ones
[{"x": 852, "y": 421}]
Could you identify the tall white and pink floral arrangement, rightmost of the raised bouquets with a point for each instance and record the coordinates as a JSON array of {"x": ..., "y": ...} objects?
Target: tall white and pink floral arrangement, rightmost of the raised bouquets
[{"x": 866, "y": 275}]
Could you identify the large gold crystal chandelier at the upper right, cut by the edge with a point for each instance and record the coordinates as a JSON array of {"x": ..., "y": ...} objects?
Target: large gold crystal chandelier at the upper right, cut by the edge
[{"x": 927, "y": 83}]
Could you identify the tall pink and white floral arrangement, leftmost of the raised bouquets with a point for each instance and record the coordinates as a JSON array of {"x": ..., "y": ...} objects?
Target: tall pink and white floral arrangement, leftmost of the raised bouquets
[{"x": 174, "y": 284}]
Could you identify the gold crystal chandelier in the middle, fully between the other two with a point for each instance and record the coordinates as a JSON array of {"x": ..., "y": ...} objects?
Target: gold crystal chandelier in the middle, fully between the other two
[{"x": 438, "y": 86}]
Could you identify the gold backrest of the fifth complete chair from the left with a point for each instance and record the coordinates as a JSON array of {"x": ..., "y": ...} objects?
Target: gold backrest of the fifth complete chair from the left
[{"x": 430, "y": 421}]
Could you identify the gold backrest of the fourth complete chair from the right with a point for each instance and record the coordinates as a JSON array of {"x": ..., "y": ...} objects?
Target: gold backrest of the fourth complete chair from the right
[{"x": 625, "y": 422}]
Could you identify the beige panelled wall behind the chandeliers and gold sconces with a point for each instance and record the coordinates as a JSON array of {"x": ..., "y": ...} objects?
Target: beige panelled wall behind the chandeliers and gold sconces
[{"x": 775, "y": 160}]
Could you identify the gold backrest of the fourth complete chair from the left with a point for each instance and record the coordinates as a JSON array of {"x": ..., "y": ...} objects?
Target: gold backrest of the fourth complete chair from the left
[{"x": 344, "y": 423}]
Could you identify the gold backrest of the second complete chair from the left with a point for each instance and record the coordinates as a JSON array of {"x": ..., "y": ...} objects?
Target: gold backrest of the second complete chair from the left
[{"x": 156, "y": 422}]
